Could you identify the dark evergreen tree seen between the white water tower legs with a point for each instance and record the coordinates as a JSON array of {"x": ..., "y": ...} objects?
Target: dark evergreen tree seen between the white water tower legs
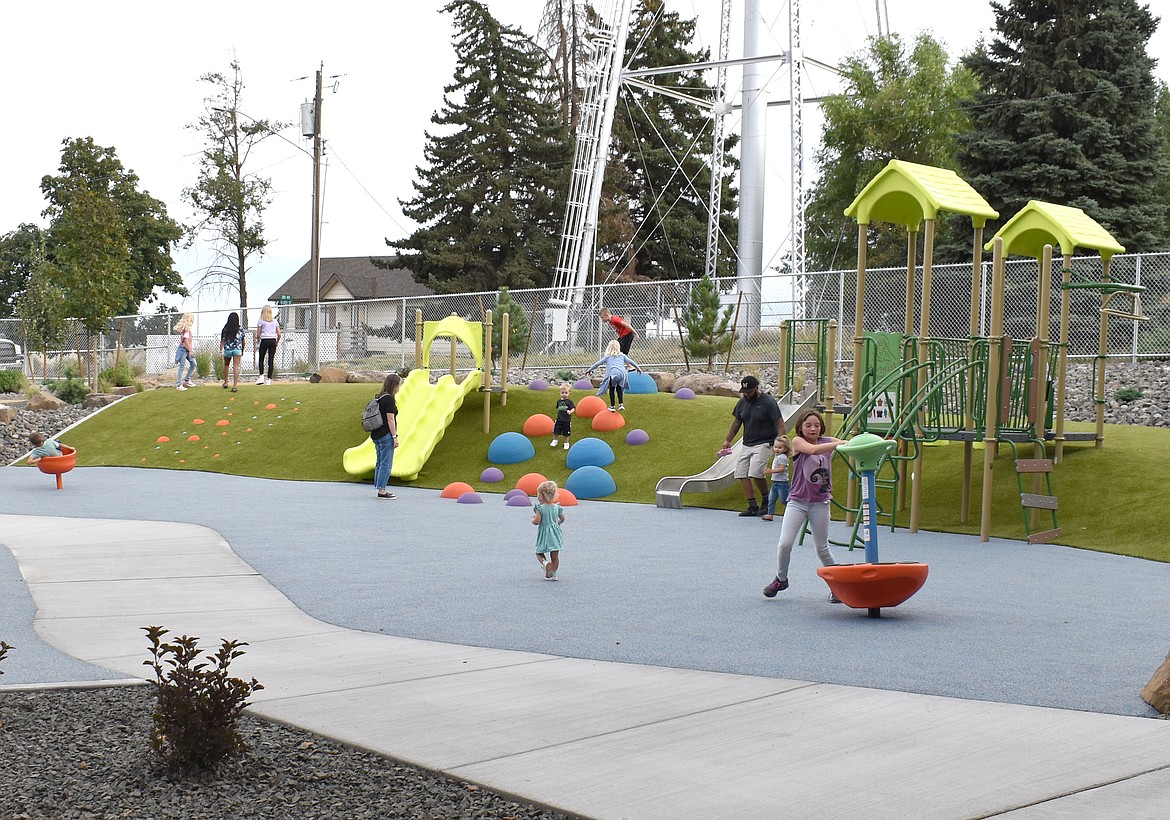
[{"x": 653, "y": 219}]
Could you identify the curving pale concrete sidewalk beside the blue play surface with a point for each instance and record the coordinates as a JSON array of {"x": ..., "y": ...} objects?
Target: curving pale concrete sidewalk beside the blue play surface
[{"x": 591, "y": 738}]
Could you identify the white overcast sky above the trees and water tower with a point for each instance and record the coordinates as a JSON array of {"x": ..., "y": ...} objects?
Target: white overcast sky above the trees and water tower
[{"x": 127, "y": 74}]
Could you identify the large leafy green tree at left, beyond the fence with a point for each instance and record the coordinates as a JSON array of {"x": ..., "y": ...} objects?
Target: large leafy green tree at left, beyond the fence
[{"x": 142, "y": 222}]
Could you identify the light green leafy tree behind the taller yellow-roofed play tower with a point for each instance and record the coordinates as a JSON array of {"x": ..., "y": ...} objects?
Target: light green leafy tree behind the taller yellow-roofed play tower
[{"x": 894, "y": 106}]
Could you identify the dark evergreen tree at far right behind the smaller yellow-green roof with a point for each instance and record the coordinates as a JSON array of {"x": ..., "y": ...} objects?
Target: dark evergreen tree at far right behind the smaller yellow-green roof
[{"x": 1068, "y": 115}]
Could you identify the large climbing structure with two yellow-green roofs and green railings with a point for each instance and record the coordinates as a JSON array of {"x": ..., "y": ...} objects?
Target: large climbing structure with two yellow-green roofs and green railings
[{"x": 918, "y": 389}]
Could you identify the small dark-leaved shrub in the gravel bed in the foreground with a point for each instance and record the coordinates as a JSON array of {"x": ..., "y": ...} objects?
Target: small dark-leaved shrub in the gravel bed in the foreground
[{"x": 197, "y": 716}]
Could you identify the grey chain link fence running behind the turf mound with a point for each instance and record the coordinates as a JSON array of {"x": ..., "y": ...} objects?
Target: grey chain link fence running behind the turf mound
[{"x": 567, "y": 335}]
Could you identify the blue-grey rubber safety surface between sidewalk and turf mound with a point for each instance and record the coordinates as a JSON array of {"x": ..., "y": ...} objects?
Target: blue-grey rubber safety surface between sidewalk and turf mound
[{"x": 1007, "y": 622}]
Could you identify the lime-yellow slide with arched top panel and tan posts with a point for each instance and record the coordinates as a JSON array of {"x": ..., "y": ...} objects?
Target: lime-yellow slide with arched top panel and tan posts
[{"x": 425, "y": 410}]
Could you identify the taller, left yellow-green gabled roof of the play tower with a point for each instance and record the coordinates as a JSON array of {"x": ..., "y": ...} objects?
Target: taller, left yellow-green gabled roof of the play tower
[{"x": 906, "y": 194}]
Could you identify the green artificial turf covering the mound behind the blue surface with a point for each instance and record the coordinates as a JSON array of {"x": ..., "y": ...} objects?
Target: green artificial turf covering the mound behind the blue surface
[{"x": 1107, "y": 495}]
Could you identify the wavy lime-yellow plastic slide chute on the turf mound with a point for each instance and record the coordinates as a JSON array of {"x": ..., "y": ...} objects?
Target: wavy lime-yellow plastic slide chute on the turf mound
[{"x": 424, "y": 414}]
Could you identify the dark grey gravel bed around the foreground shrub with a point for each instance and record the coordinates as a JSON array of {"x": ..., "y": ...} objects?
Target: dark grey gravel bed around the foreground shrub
[{"x": 84, "y": 755}]
